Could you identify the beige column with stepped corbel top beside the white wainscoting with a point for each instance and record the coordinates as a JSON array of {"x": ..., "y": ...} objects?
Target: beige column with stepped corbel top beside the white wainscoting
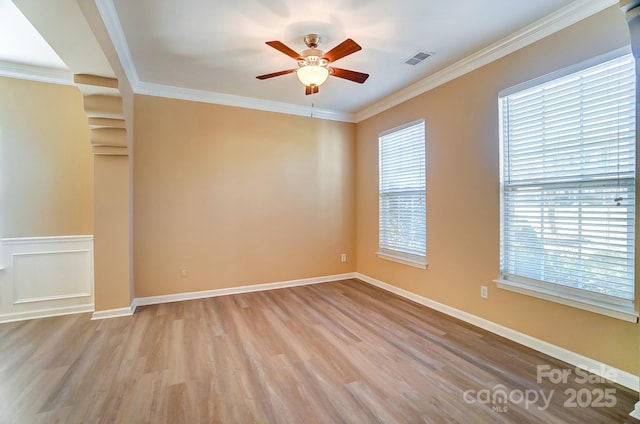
[{"x": 111, "y": 179}]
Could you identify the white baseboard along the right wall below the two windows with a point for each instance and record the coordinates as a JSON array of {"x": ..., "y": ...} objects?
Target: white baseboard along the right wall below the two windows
[{"x": 624, "y": 378}]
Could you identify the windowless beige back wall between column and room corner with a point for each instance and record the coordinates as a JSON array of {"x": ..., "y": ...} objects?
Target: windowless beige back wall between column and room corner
[{"x": 238, "y": 196}]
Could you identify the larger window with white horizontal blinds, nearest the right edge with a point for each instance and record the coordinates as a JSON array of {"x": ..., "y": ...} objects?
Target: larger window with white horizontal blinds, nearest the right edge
[{"x": 568, "y": 187}]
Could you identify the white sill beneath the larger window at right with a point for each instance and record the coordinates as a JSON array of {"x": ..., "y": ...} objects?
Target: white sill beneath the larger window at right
[{"x": 627, "y": 313}]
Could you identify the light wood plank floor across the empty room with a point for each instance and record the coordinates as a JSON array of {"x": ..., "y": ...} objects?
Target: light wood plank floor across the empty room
[{"x": 327, "y": 353}]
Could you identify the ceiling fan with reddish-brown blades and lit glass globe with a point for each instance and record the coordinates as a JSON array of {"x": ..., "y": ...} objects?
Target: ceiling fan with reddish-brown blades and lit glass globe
[{"x": 313, "y": 66}]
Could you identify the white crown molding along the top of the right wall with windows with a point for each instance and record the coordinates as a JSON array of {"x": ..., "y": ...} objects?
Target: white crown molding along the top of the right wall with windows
[{"x": 560, "y": 19}]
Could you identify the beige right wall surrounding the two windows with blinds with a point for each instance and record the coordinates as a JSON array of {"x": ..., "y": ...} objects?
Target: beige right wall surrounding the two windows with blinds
[{"x": 463, "y": 210}]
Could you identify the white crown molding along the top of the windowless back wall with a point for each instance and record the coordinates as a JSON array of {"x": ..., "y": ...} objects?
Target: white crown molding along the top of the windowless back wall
[{"x": 237, "y": 101}]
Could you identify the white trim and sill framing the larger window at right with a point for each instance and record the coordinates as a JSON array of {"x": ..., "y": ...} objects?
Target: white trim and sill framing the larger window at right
[{"x": 622, "y": 309}]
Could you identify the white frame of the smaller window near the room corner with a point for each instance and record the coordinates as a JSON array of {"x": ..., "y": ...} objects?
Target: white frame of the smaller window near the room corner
[{"x": 384, "y": 252}]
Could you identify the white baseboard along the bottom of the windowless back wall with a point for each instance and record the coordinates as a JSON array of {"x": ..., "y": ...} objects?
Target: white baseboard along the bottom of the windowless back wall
[{"x": 154, "y": 300}]
